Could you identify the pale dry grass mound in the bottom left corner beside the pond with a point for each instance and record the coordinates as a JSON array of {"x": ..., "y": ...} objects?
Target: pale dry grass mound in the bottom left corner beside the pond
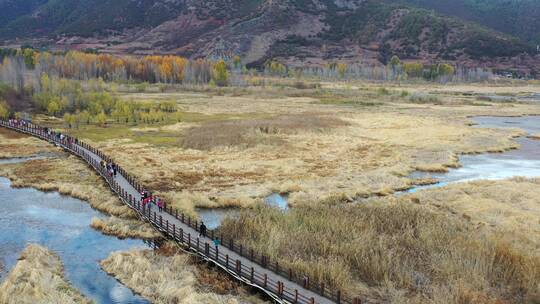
[{"x": 38, "y": 278}]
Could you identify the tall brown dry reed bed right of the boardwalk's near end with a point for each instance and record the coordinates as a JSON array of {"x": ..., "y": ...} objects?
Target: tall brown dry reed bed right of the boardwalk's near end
[{"x": 395, "y": 252}]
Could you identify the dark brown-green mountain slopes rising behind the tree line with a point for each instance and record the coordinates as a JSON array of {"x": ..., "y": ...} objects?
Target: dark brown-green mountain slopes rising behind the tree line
[{"x": 308, "y": 31}]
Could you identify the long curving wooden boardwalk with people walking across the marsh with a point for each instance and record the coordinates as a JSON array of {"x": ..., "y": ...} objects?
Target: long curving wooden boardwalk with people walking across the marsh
[{"x": 283, "y": 285}]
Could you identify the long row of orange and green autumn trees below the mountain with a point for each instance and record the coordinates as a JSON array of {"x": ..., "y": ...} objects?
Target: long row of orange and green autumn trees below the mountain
[{"x": 170, "y": 69}]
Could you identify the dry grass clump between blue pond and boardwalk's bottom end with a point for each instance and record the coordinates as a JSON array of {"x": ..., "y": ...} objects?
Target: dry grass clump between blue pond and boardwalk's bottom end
[{"x": 168, "y": 276}]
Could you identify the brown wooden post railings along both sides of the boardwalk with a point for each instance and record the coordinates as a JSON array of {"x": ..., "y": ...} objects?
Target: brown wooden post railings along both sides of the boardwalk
[{"x": 247, "y": 274}]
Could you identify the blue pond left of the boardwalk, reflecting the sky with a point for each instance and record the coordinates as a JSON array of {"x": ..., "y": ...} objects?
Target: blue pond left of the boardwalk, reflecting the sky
[{"x": 61, "y": 224}]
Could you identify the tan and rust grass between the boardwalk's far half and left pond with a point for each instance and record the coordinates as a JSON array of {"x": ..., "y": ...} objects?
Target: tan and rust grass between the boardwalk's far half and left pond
[{"x": 68, "y": 175}]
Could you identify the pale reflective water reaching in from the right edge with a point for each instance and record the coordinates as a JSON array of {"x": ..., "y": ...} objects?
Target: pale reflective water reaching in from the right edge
[{"x": 522, "y": 162}]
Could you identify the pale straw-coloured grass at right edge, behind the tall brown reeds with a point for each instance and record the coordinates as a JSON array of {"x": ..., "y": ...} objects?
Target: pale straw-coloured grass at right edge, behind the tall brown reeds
[{"x": 509, "y": 207}]
